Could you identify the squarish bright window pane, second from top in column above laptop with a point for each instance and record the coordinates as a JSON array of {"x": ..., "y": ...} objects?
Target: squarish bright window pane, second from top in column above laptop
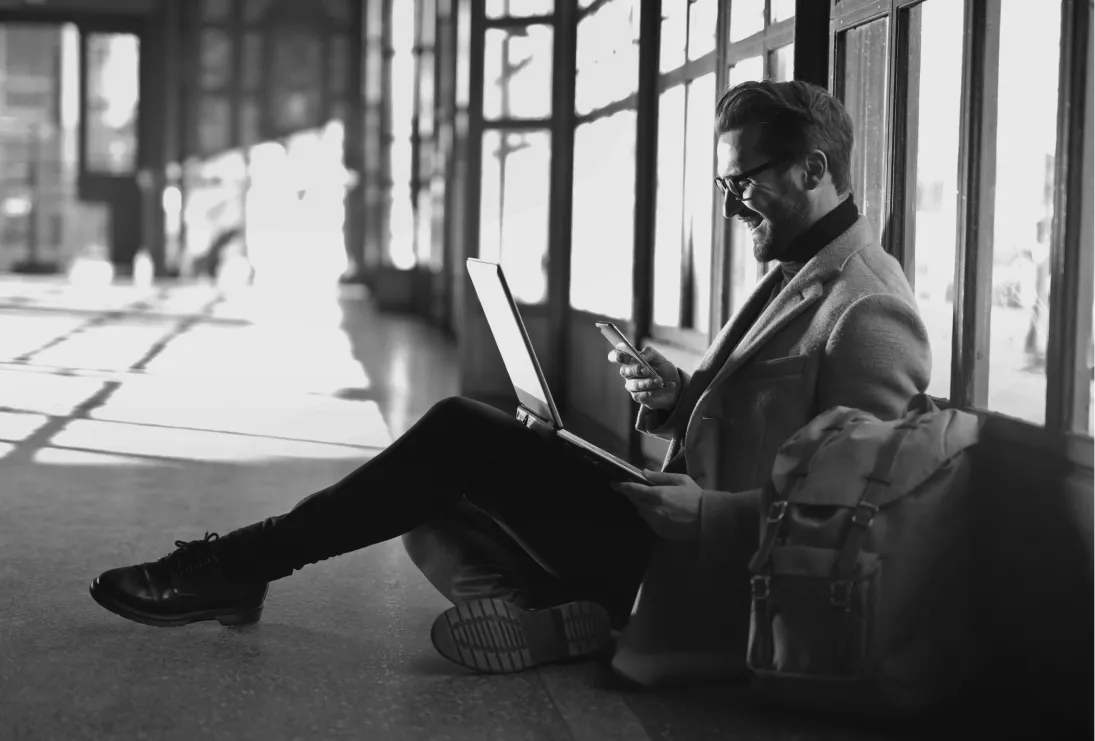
[{"x": 517, "y": 70}]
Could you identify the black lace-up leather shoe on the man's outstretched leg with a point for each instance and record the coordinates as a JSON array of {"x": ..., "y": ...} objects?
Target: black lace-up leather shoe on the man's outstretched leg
[{"x": 189, "y": 586}]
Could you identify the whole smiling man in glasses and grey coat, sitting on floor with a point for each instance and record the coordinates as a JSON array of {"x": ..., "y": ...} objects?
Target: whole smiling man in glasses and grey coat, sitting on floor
[{"x": 540, "y": 553}]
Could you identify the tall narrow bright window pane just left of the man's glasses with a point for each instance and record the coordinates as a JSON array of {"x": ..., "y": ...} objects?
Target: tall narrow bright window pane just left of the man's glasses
[{"x": 701, "y": 195}]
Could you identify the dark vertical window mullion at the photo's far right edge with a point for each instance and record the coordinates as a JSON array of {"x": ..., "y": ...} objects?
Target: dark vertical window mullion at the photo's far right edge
[{"x": 1067, "y": 379}]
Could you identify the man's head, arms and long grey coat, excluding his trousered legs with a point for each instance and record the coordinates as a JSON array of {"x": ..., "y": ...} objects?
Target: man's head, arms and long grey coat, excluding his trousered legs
[{"x": 835, "y": 323}]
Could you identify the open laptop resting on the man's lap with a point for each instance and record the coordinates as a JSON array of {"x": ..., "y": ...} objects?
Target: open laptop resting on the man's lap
[{"x": 536, "y": 407}]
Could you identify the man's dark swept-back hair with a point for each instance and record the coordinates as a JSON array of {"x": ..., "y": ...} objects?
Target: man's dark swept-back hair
[{"x": 797, "y": 118}]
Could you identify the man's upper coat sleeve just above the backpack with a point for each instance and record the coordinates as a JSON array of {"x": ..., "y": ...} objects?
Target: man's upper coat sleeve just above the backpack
[{"x": 877, "y": 358}]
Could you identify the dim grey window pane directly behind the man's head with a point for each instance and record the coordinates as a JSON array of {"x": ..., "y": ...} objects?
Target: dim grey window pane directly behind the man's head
[{"x": 865, "y": 51}]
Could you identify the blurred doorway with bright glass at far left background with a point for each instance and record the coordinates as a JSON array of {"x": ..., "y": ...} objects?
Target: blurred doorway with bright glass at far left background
[{"x": 70, "y": 144}]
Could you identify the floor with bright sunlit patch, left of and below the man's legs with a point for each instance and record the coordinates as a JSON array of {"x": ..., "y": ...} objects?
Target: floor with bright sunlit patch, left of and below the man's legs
[{"x": 131, "y": 419}]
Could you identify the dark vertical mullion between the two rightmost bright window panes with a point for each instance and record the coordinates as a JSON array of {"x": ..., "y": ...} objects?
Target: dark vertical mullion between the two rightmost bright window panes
[{"x": 977, "y": 180}]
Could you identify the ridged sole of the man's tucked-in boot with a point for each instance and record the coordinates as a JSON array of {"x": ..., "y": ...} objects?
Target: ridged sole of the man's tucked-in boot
[{"x": 499, "y": 638}]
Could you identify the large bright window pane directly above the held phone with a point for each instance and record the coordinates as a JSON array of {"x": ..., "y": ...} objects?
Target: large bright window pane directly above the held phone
[{"x": 603, "y": 238}]
